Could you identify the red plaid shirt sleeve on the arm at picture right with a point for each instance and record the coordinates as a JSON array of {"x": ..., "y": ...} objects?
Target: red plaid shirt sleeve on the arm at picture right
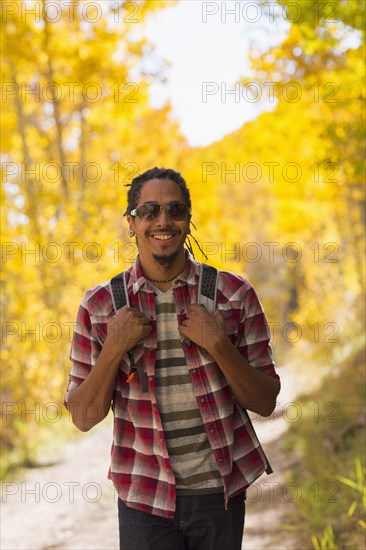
[{"x": 254, "y": 336}]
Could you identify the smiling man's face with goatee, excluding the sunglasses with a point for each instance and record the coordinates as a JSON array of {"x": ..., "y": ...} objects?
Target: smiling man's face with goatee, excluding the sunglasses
[{"x": 161, "y": 239}]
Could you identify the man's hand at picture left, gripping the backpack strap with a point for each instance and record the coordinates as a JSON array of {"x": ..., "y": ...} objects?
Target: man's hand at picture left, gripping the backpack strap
[{"x": 125, "y": 330}]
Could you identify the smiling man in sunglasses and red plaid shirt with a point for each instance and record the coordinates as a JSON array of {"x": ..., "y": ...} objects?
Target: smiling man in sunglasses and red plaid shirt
[{"x": 179, "y": 380}]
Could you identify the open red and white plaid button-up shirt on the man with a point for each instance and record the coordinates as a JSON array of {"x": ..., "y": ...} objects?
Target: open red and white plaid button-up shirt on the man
[{"x": 140, "y": 466}]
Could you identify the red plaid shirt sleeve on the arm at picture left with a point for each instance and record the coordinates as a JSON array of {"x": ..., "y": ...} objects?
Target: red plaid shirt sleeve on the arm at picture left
[{"x": 85, "y": 349}]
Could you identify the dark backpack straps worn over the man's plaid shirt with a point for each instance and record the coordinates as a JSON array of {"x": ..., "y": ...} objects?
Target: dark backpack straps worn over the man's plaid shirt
[{"x": 207, "y": 290}]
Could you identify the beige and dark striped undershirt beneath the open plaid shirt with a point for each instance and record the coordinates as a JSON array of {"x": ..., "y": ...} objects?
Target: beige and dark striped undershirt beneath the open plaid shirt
[{"x": 190, "y": 453}]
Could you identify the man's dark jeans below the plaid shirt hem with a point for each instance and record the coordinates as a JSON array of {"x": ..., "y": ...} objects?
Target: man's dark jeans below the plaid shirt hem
[{"x": 200, "y": 523}]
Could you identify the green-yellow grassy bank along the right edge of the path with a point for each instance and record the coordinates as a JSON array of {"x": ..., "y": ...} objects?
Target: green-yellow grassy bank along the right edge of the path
[{"x": 330, "y": 443}]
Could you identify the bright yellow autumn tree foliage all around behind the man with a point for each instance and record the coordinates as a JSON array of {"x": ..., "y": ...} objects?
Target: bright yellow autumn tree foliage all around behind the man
[{"x": 281, "y": 200}]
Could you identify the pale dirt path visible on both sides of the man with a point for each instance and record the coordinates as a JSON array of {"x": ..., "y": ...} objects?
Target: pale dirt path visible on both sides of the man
[{"x": 72, "y": 506}]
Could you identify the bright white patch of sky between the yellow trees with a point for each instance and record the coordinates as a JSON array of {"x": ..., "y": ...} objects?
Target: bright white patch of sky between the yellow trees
[{"x": 206, "y": 45}]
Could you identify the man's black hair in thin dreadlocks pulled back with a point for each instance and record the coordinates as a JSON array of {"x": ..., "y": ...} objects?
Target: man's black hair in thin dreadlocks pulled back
[{"x": 135, "y": 186}]
